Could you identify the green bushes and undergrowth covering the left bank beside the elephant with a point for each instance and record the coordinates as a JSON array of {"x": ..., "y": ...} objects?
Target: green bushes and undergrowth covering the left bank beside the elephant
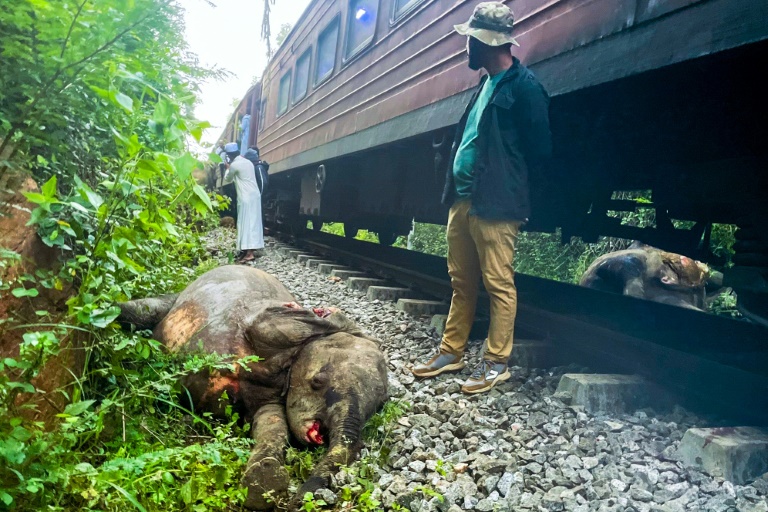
[{"x": 96, "y": 101}]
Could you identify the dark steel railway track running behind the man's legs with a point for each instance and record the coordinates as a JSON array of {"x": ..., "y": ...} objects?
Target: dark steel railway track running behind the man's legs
[{"x": 709, "y": 364}]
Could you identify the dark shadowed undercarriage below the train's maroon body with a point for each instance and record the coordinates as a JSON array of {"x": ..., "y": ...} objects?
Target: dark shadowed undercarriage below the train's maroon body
[{"x": 693, "y": 135}]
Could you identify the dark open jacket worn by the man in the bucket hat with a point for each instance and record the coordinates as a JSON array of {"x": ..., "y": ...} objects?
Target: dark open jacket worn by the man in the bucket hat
[{"x": 514, "y": 143}]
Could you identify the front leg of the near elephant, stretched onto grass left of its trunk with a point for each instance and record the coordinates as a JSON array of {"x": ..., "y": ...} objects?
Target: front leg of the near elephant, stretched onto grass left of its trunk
[{"x": 265, "y": 470}]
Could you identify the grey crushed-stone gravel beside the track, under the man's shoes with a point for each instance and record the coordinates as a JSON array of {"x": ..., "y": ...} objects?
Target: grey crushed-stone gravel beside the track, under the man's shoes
[{"x": 516, "y": 447}]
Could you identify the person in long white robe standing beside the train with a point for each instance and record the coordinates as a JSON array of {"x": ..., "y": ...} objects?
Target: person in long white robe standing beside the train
[{"x": 250, "y": 231}]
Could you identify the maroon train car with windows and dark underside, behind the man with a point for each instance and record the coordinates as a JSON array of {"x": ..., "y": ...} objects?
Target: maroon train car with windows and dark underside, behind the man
[{"x": 357, "y": 109}]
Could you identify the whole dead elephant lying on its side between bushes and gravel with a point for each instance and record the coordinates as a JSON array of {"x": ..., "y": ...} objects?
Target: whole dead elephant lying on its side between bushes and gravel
[{"x": 320, "y": 377}]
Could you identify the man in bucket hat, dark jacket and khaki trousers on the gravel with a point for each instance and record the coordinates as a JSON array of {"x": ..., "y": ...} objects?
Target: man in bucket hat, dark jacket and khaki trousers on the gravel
[{"x": 502, "y": 139}]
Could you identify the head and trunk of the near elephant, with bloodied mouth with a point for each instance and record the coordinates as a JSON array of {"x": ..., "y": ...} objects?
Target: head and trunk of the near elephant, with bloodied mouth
[{"x": 336, "y": 384}]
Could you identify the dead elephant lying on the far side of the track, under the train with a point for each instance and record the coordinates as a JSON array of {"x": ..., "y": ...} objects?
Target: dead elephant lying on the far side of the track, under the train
[{"x": 649, "y": 273}]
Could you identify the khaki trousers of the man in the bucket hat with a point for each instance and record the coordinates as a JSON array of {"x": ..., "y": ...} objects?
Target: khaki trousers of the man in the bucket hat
[{"x": 480, "y": 248}]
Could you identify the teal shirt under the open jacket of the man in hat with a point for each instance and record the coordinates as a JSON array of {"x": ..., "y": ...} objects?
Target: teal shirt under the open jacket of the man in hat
[{"x": 466, "y": 155}]
